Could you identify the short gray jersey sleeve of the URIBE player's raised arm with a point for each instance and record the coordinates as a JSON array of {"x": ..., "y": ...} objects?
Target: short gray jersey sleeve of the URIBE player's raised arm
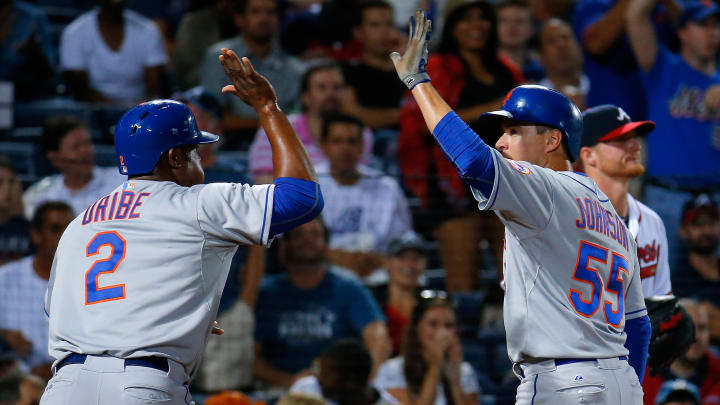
[{"x": 226, "y": 212}]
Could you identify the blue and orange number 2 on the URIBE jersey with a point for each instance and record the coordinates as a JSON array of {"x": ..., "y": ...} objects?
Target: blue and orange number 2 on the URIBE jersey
[{"x": 93, "y": 292}]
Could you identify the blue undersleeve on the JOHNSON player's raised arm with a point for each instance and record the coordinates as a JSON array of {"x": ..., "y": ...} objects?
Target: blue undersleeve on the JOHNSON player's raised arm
[{"x": 466, "y": 151}]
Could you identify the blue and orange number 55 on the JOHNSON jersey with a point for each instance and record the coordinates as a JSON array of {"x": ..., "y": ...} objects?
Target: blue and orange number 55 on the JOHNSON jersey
[{"x": 586, "y": 273}]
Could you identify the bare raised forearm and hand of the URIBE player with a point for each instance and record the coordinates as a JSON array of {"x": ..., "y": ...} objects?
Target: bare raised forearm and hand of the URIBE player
[{"x": 289, "y": 156}]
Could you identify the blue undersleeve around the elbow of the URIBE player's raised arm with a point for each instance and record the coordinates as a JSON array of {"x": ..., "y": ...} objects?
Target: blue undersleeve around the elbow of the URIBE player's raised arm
[{"x": 295, "y": 202}]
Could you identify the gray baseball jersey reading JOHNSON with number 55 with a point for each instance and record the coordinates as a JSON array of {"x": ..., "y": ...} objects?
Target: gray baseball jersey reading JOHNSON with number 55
[{"x": 570, "y": 265}]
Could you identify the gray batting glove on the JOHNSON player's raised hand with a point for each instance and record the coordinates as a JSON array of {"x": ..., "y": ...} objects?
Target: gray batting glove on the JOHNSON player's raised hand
[{"x": 411, "y": 66}]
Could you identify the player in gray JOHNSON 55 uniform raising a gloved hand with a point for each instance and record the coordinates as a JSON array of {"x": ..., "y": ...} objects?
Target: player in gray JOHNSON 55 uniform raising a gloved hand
[{"x": 574, "y": 313}]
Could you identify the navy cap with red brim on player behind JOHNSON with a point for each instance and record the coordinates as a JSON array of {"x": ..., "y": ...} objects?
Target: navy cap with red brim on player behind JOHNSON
[{"x": 607, "y": 122}]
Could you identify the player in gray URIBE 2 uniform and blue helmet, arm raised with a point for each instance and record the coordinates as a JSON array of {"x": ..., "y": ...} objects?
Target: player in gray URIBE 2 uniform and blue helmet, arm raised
[{"x": 137, "y": 277}]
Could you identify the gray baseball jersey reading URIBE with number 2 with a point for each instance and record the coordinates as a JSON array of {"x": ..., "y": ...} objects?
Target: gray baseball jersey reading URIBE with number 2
[{"x": 140, "y": 272}]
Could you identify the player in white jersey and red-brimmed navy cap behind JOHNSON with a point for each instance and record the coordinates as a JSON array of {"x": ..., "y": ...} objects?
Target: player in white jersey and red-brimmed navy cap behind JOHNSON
[{"x": 610, "y": 155}]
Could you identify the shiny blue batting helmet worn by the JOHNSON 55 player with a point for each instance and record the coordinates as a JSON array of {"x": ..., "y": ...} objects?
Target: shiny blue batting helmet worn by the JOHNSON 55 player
[{"x": 543, "y": 106}]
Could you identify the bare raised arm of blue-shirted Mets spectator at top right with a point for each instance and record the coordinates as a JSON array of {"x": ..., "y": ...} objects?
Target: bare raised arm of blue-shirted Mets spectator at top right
[{"x": 641, "y": 33}]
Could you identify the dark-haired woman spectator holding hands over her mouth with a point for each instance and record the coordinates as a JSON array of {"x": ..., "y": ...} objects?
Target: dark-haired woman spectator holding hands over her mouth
[{"x": 431, "y": 369}]
